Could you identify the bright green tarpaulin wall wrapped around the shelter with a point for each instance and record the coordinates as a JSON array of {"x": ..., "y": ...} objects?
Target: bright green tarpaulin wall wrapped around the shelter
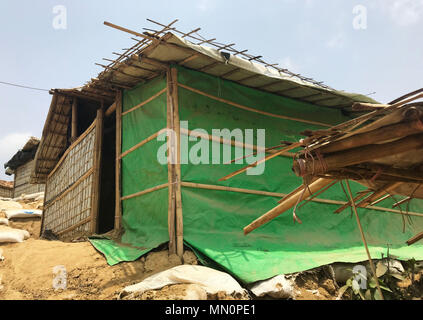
[{"x": 213, "y": 220}]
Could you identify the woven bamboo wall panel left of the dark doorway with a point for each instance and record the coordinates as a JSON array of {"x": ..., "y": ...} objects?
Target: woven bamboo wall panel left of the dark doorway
[{"x": 69, "y": 189}]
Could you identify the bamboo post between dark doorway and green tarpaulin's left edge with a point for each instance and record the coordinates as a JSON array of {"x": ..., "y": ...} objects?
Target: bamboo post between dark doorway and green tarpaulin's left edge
[{"x": 118, "y": 180}]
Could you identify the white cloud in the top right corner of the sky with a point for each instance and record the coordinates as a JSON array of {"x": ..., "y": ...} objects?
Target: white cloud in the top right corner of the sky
[{"x": 403, "y": 12}]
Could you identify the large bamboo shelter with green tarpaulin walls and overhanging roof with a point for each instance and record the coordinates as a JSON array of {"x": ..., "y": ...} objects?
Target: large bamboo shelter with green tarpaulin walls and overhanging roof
[{"x": 159, "y": 120}]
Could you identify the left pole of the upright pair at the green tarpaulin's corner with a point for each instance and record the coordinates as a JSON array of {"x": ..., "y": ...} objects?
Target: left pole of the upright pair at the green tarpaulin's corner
[{"x": 171, "y": 168}]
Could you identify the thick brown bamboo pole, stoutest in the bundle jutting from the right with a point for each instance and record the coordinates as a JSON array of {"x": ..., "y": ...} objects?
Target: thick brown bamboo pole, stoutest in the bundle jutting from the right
[{"x": 350, "y": 157}]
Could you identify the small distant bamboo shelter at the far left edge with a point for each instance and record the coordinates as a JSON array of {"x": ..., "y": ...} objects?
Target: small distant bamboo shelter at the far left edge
[{"x": 21, "y": 165}]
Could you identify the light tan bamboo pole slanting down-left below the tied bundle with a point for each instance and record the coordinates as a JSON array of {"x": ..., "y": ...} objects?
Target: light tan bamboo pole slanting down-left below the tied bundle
[{"x": 287, "y": 204}]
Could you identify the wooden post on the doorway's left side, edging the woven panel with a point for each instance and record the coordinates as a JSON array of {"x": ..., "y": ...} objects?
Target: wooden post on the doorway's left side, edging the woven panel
[{"x": 95, "y": 205}]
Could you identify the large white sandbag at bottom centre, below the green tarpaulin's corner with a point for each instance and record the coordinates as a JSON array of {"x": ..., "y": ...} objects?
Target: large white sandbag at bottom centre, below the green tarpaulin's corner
[{"x": 212, "y": 281}]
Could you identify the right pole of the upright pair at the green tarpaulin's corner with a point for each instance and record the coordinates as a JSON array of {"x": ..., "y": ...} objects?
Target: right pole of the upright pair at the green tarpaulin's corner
[{"x": 176, "y": 123}]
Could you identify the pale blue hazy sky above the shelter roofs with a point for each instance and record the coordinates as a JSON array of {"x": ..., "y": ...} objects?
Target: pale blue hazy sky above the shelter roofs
[{"x": 369, "y": 46}]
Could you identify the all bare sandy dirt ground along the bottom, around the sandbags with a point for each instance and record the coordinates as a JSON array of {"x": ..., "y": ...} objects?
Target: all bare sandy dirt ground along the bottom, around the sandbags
[{"x": 27, "y": 273}]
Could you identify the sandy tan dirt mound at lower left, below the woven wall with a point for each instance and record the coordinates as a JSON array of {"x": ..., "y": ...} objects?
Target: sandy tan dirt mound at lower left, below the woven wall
[{"x": 27, "y": 271}]
